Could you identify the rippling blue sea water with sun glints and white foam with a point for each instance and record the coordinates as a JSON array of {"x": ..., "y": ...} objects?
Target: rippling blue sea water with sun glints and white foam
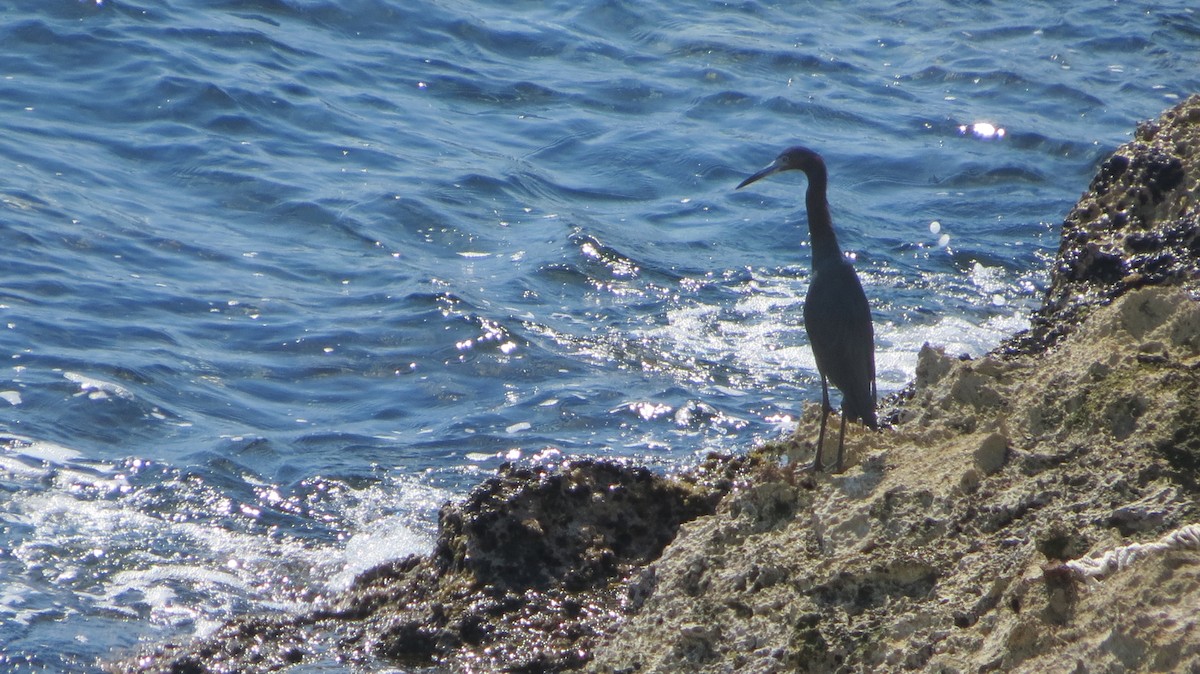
[{"x": 281, "y": 276}]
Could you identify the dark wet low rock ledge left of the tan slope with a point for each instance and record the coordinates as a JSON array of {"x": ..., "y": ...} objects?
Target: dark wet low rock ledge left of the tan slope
[{"x": 526, "y": 576}]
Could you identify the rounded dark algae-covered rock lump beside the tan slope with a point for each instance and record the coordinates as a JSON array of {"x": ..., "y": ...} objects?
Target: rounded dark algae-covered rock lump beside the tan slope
[{"x": 578, "y": 528}]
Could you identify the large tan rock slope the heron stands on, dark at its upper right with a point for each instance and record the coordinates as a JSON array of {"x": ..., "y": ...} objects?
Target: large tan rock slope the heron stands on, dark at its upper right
[{"x": 961, "y": 539}]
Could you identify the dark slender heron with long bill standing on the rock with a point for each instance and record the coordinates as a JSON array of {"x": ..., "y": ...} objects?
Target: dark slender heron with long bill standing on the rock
[{"x": 836, "y": 312}]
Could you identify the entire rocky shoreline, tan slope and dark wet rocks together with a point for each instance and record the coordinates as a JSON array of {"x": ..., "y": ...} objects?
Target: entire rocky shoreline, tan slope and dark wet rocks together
[{"x": 1034, "y": 510}]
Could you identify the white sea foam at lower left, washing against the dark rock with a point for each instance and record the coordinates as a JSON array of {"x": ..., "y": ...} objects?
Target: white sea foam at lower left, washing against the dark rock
[{"x": 142, "y": 551}]
